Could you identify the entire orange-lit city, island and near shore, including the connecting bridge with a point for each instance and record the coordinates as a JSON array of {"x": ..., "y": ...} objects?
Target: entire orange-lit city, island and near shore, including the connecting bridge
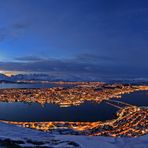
[{"x": 131, "y": 121}]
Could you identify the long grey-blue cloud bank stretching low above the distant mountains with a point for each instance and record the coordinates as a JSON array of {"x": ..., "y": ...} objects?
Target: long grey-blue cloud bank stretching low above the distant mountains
[{"x": 80, "y": 65}]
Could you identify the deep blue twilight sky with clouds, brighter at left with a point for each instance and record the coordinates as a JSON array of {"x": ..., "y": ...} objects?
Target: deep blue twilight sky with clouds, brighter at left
[{"x": 92, "y": 37}]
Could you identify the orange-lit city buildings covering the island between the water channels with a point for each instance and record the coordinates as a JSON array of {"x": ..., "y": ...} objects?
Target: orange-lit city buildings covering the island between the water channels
[{"x": 69, "y": 96}]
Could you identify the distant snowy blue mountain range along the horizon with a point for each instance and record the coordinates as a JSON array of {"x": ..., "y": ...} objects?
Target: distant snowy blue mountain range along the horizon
[{"x": 64, "y": 77}]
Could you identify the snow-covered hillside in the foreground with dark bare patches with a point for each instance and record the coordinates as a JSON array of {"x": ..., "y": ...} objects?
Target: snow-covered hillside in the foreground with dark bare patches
[{"x": 14, "y": 136}]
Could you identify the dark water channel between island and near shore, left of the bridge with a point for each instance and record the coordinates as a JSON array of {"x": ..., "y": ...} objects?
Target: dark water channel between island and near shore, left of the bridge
[{"x": 88, "y": 111}]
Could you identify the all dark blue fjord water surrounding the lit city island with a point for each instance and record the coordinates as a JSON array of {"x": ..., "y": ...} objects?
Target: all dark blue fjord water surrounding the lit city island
[{"x": 88, "y": 111}]
